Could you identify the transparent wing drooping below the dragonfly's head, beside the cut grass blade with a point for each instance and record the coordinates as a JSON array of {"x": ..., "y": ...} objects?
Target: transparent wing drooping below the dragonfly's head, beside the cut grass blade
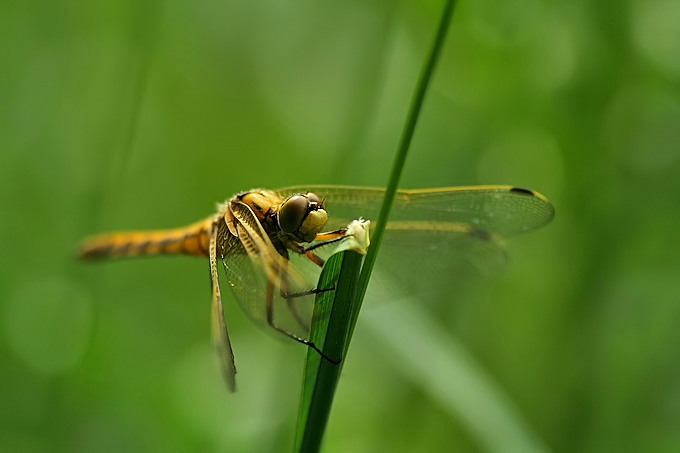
[{"x": 253, "y": 264}]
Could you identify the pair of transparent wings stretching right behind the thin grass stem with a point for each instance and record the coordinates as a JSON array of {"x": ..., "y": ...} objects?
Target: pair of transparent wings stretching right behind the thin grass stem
[{"x": 436, "y": 239}]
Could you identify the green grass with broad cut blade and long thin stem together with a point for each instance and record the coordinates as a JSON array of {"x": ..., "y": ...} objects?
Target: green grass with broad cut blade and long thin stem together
[{"x": 334, "y": 334}]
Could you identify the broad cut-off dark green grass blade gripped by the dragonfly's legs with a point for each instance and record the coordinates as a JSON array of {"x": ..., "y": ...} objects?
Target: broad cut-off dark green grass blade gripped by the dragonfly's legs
[{"x": 333, "y": 313}]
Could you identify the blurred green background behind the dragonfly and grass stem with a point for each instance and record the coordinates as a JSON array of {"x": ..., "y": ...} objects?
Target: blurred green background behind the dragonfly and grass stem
[{"x": 130, "y": 114}]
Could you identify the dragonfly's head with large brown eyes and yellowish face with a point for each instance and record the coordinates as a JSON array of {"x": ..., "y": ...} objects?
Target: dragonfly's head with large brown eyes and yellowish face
[{"x": 302, "y": 216}]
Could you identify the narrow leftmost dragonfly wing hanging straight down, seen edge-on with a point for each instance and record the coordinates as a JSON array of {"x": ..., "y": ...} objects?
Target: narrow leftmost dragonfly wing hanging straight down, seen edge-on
[{"x": 219, "y": 326}]
